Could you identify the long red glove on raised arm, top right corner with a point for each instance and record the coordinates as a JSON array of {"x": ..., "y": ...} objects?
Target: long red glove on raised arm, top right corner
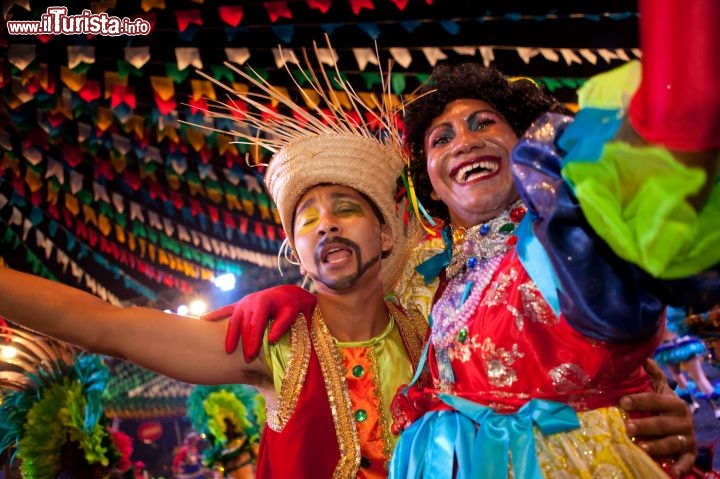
[{"x": 678, "y": 102}]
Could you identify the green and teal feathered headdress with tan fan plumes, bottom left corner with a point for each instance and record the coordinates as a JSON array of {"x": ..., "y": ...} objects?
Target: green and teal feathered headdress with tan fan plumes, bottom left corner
[{"x": 51, "y": 407}]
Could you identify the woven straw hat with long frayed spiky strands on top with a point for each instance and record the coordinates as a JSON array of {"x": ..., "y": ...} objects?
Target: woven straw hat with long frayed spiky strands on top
[{"x": 327, "y": 145}]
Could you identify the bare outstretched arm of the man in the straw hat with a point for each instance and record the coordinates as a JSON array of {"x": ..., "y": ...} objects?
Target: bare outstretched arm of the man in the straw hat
[{"x": 180, "y": 347}]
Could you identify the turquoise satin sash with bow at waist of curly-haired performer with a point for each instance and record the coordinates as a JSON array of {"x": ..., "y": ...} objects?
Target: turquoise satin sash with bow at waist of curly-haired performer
[{"x": 478, "y": 441}]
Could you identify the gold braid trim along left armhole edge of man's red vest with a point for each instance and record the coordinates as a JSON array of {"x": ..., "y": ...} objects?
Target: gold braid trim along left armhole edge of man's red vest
[{"x": 294, "y": 378}]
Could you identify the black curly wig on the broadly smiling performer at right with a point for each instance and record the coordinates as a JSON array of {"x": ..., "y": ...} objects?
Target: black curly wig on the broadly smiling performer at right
[{"x": 520, "y": 102}]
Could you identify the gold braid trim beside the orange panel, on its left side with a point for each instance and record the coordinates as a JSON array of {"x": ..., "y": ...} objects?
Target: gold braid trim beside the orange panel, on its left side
[{"x": 331, "y": 364}]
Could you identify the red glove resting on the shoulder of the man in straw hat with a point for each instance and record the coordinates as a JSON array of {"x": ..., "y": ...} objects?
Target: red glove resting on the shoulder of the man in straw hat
[{"x": 250, "y": 316}]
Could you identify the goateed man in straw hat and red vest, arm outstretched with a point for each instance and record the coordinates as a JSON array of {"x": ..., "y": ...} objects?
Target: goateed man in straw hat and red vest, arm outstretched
[{"x": 329, "y": 382}]
